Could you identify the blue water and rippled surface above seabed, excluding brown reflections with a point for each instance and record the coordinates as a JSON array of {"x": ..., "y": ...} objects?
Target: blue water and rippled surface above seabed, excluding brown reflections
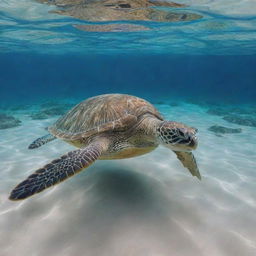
[{"x": 42, "y": 55}]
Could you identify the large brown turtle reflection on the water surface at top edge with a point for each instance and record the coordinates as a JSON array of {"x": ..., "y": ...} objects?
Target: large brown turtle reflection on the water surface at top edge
[{"x": 113, "y": 10}]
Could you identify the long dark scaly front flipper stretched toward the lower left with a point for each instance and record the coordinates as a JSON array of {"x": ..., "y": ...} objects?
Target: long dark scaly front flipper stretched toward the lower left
[{"x": 58, "y": 170}]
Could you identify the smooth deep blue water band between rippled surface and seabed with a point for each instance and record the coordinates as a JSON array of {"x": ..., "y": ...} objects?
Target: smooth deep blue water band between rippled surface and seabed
[{"x": 27, "y": 78}]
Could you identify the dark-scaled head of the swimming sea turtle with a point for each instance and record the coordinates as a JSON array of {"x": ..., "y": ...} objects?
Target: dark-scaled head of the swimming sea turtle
[{"x": 177, "y": 136}]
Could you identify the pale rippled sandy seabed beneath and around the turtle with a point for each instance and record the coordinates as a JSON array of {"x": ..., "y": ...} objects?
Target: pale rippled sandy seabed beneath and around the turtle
[{"x": 145, "y": 206}]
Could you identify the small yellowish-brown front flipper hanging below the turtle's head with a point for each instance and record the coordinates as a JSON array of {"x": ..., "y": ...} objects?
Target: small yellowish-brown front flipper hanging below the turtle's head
[{"x": 188, "y": 160}]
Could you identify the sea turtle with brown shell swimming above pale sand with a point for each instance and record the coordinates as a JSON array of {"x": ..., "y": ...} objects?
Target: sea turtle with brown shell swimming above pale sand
[{"x": 110, "y": 126}]
